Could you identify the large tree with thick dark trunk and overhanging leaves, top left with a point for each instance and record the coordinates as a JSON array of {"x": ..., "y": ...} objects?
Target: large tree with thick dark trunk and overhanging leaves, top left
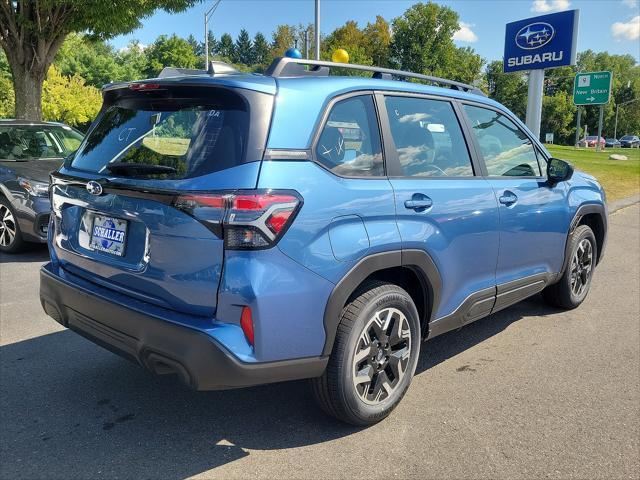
[{"x": 31, "y": 32}]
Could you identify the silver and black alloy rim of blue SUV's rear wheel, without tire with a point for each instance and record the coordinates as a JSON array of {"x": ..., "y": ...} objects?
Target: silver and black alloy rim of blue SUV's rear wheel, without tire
[{"x": 382, "y": 355}]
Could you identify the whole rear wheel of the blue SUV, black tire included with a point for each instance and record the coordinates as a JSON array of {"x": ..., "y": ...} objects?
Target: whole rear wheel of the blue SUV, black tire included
[{"x": 360, "y": 331}]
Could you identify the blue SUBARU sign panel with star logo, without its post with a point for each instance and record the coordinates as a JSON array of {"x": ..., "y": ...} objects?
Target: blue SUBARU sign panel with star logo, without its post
[{"x": 541, "y": 42}]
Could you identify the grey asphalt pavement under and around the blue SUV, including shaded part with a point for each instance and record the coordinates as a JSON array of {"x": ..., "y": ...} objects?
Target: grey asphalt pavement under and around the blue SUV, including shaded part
[{"x": 530, "y": 392}]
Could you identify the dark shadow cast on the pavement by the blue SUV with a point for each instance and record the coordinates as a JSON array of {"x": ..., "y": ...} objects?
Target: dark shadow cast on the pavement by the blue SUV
[{"x": 69, "y": 409}]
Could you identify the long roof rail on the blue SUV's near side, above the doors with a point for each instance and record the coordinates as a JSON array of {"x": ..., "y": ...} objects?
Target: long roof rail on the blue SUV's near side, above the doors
[{"x": 294, "y": 67}]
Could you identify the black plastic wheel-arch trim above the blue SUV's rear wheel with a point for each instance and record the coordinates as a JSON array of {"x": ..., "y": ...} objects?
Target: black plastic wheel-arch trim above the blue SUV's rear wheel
[{"x": 418, "y": 260}]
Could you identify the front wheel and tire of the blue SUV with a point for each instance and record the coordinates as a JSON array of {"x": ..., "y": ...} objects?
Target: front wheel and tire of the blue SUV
[{"x": 574, "y": 285}]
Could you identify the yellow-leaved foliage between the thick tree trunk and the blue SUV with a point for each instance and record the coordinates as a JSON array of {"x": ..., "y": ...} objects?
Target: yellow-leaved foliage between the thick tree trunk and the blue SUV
[{"x": 68, "y": 99}]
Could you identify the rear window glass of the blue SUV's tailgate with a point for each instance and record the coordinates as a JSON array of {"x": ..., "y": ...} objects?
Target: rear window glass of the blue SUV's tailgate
[{"x": 194, "y": 136}]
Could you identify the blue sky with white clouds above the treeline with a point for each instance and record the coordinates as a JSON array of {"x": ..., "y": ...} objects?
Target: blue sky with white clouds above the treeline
[{"x": 611, "y": 25}]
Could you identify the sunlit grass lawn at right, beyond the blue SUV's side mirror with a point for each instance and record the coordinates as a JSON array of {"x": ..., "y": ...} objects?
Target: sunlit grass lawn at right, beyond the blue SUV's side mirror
[{"x": 620, "y": 178}]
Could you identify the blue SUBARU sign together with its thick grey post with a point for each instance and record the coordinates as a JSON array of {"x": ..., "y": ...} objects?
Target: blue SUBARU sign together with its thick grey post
[{"x": 534, "y": 44}]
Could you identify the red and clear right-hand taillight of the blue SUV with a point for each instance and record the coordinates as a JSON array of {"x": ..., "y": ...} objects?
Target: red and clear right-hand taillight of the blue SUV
[{"x": 247, "y": 220}]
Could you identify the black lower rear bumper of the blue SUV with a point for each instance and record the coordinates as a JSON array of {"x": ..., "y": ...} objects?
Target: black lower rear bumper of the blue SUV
[{"x": 160, "y": 345}]
